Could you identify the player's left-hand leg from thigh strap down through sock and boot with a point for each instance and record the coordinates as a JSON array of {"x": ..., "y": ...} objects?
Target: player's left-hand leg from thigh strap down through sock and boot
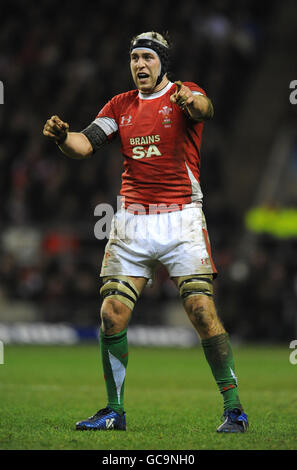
[{"x": 115, "y": 312}]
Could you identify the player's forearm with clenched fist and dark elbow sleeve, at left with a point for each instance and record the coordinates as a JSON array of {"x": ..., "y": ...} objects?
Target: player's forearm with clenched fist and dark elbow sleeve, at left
[{"x": 76, "y": 145}]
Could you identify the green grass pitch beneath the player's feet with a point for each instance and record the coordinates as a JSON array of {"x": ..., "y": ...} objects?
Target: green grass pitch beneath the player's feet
[{"x": 172, "y": 400}]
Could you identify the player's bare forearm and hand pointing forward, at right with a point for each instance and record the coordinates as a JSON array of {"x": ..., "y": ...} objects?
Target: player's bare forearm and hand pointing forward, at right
[{"x": 198, "y": 107}]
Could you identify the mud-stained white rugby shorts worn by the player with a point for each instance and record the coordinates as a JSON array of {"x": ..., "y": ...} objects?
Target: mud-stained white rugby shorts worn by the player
[{"x": 179, "y": 240}]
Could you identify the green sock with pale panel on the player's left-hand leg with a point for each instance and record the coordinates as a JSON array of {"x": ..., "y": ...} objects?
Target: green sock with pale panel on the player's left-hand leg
[{"x": 114, "y": 356}]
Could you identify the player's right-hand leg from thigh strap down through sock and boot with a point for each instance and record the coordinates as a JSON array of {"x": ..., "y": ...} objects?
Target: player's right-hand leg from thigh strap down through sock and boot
[{"x": 202, "y": 313}]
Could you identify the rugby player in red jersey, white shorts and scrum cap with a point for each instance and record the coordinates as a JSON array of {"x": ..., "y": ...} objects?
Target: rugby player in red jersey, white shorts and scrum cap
[{"x": 160, "y": 125}]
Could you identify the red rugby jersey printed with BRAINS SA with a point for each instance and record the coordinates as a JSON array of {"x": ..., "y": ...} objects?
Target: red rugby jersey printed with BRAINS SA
[{"x": 160, "y": 145}]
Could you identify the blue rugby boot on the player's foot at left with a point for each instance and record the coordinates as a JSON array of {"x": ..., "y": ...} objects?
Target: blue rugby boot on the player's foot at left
[{"x": 104, "y": 420}]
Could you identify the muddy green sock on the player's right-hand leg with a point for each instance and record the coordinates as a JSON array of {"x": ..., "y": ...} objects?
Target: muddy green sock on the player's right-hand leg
[{"x": 218, "y": 353}]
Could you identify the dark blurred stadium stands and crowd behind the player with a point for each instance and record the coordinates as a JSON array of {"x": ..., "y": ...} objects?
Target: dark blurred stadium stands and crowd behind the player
[{"x": 69, "y": 60}]
